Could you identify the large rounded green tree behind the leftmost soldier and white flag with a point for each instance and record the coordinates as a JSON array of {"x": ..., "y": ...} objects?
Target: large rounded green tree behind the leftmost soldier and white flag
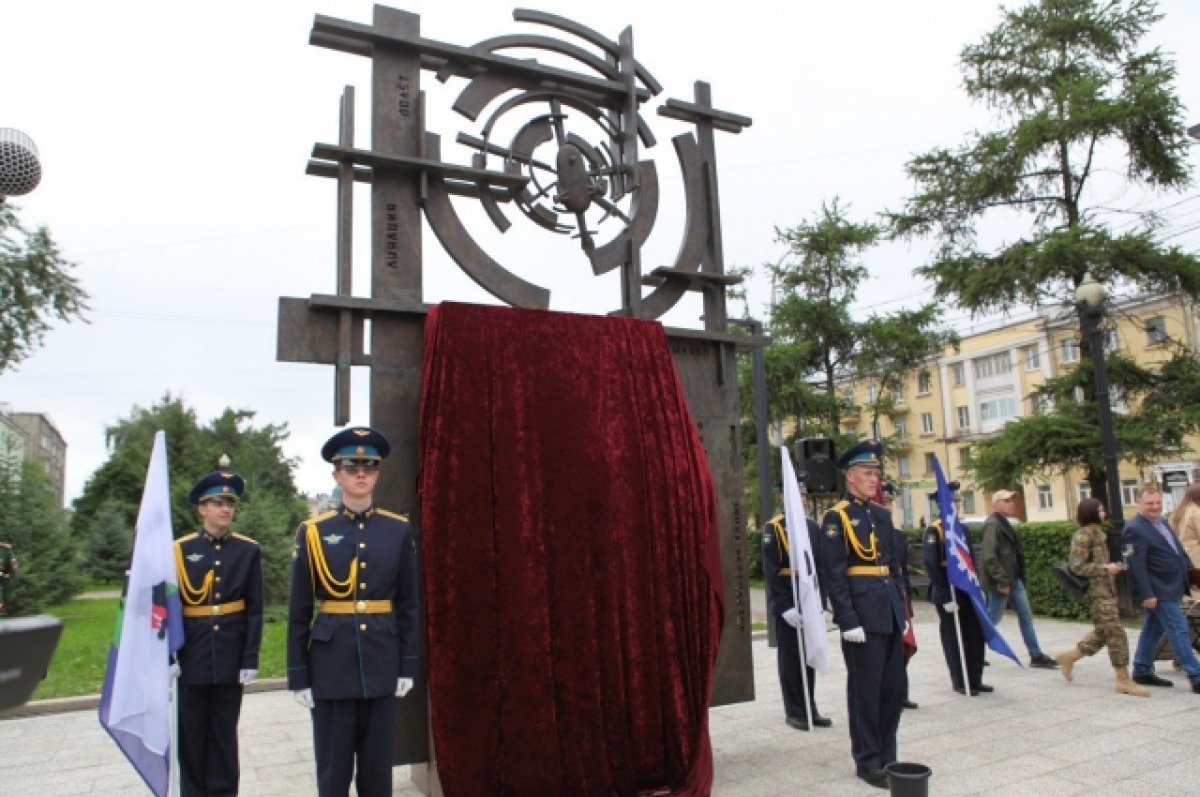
[{"x": 269, "y": 512}]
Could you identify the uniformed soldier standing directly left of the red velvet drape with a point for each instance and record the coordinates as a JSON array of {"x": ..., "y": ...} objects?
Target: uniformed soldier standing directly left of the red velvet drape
[{"x": 352, "y": 621}]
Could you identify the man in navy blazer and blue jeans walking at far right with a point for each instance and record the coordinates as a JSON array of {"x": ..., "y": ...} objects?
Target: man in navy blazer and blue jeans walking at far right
[{"x": 1159, "y": 568}]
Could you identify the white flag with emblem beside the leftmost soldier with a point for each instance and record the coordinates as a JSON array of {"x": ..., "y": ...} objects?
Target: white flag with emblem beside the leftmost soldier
[{"x": 135, "y": 705}]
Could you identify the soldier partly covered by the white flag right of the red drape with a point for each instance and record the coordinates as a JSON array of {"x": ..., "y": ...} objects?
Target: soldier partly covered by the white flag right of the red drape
[{"x": 777, "y": 570}]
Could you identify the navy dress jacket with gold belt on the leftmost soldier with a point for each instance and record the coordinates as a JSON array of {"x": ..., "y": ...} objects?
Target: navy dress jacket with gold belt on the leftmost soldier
[{"x": 220, "y": 572}]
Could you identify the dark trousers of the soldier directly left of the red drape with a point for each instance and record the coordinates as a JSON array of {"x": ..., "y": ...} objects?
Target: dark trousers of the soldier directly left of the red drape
[{"x": 353, "y": 739}]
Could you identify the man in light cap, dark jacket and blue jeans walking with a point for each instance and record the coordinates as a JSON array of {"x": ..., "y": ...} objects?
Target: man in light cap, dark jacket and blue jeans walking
[{"x": 1003, "y": 574}]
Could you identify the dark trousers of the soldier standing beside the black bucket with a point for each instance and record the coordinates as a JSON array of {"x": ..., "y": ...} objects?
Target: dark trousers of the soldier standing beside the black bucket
[{"x": 875, "y": 687}]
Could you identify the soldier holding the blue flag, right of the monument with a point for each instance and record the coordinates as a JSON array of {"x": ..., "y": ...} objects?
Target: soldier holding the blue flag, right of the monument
[{"x": 950, "y": 602}]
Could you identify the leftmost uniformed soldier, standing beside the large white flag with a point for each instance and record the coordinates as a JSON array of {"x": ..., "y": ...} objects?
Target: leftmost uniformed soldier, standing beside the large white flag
[{"x": 221, "y": 589}]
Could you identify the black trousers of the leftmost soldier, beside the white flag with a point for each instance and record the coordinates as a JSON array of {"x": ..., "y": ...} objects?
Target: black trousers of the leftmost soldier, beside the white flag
[{"x": 208, "y": 740}]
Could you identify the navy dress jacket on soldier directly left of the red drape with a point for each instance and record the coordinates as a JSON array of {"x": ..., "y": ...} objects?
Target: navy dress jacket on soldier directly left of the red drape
[{"x": 345, "y": 556}]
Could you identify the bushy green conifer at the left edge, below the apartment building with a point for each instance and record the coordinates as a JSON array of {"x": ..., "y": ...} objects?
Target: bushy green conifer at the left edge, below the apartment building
[{"x": 35, "y": 525}]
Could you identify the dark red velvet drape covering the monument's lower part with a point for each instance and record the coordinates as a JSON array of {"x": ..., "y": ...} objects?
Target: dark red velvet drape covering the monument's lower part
[{"x": 571, "y": 558}]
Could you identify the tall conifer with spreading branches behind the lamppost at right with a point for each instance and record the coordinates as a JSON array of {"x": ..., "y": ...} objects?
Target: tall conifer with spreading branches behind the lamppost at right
[{"x": 1075, "y": 92}]
